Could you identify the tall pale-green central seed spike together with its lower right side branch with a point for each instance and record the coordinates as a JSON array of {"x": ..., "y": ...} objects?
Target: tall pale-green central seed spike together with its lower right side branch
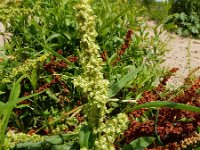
[{"x": 93, "y": 84}]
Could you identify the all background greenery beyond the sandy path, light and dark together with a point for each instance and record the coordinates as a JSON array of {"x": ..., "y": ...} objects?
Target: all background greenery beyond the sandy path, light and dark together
[{"x": 180, "y": 16}]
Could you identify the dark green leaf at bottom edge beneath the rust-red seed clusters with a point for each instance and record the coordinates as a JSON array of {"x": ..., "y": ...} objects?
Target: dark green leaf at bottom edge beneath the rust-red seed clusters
[{"x": 139, "y": 143}]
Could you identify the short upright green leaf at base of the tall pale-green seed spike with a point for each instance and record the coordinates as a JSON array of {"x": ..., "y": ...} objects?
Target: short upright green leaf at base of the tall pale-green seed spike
[{"x": 84, "y": 136}]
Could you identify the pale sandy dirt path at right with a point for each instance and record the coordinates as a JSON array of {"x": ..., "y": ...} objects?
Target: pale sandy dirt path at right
[{"x": 184, "y": 53}]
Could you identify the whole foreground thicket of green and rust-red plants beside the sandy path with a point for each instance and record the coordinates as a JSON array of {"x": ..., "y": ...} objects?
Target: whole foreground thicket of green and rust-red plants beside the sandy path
[{"x": 75, "y": 75}]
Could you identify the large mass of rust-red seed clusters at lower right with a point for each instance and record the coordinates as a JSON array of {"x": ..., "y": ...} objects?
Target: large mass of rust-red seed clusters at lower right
[{"x": 170, "y": 126}]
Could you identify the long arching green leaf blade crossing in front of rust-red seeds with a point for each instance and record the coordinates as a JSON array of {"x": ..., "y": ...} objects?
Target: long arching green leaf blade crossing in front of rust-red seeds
[{"x": 168, "y": 105}]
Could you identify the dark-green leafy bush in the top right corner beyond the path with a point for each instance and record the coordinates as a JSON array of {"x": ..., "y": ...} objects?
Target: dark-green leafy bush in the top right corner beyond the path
[{"x": 185, "y": 14}]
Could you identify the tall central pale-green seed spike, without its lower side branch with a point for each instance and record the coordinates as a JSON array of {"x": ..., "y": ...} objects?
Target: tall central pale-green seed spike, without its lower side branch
[{"x": 91, "y": 81}]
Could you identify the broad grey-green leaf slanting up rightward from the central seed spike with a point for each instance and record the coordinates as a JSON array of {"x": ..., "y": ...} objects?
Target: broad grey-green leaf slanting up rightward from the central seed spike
[{"x": 116, "y": 87}]
